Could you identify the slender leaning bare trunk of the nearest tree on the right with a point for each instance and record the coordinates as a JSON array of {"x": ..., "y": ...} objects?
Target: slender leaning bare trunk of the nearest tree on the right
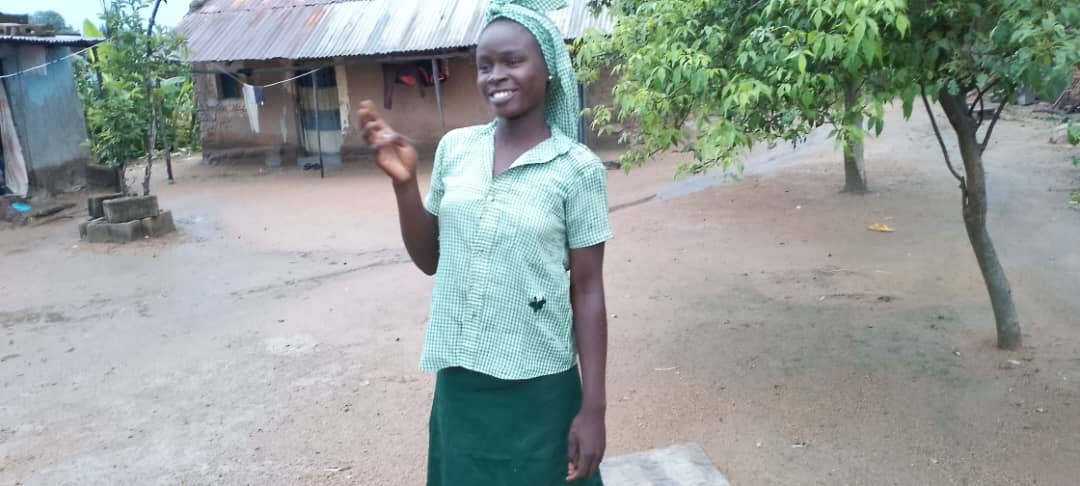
[{"x": 975, "y": 221}]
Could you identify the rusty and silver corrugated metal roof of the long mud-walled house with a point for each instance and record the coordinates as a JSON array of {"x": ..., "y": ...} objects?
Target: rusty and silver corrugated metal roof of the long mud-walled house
[{"x": 304, "y": 30}]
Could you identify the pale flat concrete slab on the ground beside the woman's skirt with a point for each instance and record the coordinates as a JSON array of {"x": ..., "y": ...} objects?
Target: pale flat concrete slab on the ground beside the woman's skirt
[{"x": 682, "y": 465}]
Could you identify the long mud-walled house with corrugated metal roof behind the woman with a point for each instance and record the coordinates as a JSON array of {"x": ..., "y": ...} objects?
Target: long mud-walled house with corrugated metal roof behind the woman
[{"x": 414, "y": 58}]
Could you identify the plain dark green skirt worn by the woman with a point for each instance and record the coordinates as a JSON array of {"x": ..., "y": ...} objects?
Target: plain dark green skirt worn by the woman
[{"x": 492, "y": 433}]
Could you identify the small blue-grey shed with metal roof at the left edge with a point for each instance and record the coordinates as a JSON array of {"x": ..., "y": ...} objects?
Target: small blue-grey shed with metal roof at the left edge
[{"x": 43, "y": 127}]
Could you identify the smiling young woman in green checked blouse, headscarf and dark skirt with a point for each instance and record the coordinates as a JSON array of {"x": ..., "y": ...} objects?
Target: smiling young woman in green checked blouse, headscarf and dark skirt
[{"x": 514, "y": 229}]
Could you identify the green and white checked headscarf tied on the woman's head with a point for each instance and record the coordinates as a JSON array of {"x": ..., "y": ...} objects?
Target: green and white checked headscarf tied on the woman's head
[{"x": 562, "y": 106}]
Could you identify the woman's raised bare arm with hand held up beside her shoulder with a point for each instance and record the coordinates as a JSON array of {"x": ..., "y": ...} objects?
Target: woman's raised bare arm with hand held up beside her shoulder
[{"x": 397, "y": 157}]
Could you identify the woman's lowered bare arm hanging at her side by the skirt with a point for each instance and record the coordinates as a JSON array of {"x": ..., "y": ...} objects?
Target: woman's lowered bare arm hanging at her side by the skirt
[{"x": 587, "y": 441}]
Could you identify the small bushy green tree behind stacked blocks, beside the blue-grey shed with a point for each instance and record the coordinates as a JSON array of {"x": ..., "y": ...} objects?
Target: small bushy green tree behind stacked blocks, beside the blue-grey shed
[{"x": 133, "y": 88}]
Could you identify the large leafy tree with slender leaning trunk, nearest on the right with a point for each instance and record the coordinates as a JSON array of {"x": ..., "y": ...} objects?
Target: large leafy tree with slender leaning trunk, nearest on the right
[{"x": 676, "y": 62}]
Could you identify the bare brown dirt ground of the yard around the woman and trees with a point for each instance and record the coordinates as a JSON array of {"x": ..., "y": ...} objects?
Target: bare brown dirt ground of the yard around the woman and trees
[{"x": 275, "y": 340}]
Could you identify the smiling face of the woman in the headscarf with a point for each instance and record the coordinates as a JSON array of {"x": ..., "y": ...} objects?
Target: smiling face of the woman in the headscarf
[{"x": 511, "y": 73}]
